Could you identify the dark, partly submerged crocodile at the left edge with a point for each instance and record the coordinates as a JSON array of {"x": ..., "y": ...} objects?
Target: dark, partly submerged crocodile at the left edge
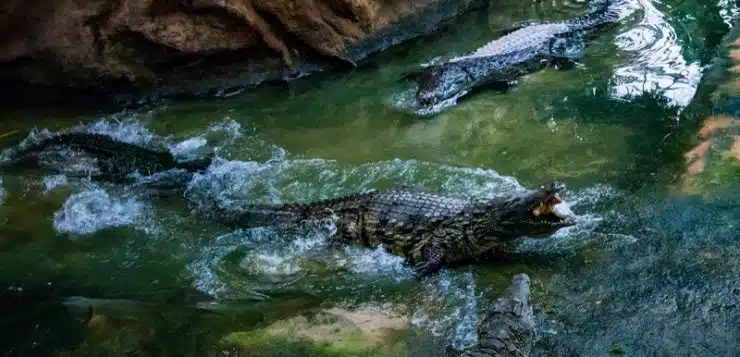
[{"x": 115, "y": 160}]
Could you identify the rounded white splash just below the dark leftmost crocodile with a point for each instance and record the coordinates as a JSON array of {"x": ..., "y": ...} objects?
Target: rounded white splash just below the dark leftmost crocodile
[{"x": 94, "y": 209}]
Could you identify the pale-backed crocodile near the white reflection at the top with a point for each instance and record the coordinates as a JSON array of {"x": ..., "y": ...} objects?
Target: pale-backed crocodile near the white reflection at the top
[{"x": 525, "y": 48}]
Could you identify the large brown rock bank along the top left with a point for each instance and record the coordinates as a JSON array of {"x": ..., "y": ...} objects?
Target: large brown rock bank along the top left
[{"x": 196, "y": 46}]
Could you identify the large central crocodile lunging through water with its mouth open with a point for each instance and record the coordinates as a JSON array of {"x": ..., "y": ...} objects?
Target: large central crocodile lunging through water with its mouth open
[{"x": 429, "y": 230}]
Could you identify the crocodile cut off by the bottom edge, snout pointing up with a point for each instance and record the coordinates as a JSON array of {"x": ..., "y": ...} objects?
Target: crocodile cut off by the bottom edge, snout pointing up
[{"x": 508, "y": 328}]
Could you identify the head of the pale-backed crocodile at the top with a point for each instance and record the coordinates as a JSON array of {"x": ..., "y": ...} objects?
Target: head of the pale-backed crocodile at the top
[{"x": 441, "y": 82}]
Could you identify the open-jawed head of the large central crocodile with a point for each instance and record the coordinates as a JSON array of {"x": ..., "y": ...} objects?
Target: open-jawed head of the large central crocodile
[{"x": 539, "y": 213}]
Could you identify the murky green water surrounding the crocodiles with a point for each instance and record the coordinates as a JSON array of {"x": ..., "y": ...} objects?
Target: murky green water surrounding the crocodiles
[{"x": 651, "y": 272}]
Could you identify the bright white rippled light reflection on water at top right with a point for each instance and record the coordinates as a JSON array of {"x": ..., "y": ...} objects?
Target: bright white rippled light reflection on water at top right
[{"x": 658, "y": 64}]
